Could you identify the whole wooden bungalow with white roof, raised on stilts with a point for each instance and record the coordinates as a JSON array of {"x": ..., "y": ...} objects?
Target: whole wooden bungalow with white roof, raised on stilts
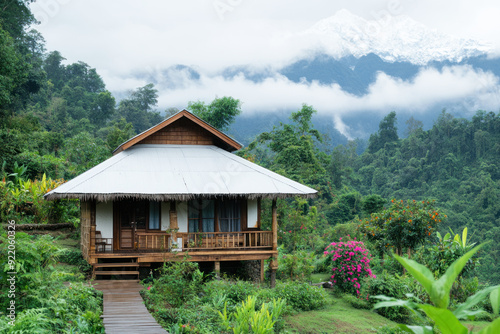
[{"x": 172, "y": 189}]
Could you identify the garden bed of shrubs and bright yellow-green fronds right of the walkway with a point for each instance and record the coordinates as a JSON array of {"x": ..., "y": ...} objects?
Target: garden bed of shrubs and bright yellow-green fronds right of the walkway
[{"x": 200, "y": 304}]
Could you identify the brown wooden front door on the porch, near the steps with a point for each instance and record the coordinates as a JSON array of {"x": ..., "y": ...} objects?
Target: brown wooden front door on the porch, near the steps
[{"x": 132, "y": 218}]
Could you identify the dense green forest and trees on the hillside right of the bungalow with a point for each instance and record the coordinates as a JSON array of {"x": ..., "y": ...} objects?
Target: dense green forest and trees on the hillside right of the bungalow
[{"x": 400, "y": 191}]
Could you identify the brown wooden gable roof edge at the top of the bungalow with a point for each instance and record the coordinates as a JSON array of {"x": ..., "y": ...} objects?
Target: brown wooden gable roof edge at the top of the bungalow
[{"x": 219, "y": 138}]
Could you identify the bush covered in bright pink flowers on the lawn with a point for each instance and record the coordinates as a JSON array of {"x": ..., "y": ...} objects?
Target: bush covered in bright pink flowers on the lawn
[{"x": 351, "y": 263}]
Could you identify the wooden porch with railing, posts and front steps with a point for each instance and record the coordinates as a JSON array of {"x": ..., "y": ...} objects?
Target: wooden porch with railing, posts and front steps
[{"x": 128, "y": 252}]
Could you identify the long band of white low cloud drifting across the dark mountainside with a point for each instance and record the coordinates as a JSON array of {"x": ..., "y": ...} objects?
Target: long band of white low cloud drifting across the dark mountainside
[{"x": 464, "y": 86}]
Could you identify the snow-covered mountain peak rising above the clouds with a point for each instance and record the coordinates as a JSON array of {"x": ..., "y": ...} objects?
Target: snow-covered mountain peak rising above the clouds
[{"x": 392, "y": 38}]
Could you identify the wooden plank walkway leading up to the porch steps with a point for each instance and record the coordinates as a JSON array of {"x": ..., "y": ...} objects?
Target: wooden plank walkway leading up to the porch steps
[{"x": 124, "y": 310}]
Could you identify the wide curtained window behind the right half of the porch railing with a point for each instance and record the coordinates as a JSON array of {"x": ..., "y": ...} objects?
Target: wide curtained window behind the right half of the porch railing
[{"x": 214, "y": 216}]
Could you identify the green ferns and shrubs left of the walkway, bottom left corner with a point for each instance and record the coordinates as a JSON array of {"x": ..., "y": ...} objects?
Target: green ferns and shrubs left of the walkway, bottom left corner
[{"x": 50, "y": 297}]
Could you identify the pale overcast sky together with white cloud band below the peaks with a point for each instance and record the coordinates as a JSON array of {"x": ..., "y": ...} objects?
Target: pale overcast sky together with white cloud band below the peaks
[{"x": 123, "y": 37}]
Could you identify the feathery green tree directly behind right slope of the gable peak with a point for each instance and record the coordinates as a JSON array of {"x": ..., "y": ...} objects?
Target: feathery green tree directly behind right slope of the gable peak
[{"x": 220, "y": 113}]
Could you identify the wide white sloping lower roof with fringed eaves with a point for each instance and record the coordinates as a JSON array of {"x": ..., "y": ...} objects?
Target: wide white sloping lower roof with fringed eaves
[{"x": 177, "y": 172}]
